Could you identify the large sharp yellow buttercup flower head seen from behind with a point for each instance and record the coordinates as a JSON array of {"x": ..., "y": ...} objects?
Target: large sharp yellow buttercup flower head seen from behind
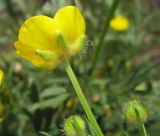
[{"x": 45, "y": 41}]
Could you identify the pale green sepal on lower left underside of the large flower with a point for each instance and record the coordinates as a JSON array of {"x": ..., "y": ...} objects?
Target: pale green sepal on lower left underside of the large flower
[{"x": 46, "y": 55}]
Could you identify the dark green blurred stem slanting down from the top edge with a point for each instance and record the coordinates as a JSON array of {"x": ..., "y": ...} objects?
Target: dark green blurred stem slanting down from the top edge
[{"x": 104, "y": 31}]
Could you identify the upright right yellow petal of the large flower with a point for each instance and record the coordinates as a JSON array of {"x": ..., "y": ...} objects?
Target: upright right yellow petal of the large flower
[{"x": 71, "y": 23}]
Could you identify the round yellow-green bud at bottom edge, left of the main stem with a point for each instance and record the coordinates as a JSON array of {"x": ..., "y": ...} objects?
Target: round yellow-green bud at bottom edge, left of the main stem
[{"x": 70, "y": 126}]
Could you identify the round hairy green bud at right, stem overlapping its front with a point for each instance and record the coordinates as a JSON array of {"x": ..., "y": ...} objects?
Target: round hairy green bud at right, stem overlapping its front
[{"x": 129, "y": 111}]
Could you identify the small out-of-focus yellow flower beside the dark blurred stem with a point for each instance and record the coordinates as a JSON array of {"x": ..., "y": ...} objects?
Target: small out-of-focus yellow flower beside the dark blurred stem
[{"x": 119, "y": 23}]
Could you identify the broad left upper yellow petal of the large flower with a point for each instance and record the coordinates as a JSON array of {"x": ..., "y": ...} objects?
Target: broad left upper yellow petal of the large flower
[{"x": 38, "y": 33}]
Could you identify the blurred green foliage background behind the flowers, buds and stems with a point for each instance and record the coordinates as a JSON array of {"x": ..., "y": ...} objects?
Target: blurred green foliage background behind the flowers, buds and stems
[{"x": 128, "y": 68}]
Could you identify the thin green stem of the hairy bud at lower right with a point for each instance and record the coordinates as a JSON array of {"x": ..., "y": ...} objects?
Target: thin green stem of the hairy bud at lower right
[{"x": 142, "y": 130}]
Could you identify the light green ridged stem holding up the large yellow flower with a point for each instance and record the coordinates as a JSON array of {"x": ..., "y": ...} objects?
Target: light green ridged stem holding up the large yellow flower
[{"x": 82, "y": 98}]
